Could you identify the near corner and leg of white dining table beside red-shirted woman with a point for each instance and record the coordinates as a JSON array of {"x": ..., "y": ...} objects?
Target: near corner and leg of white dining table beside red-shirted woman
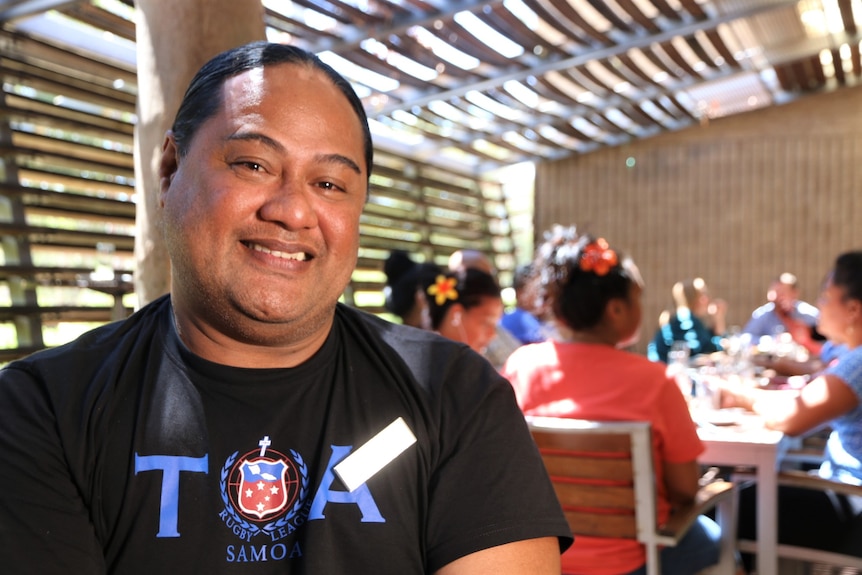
[{"x": 739, "y": 439}]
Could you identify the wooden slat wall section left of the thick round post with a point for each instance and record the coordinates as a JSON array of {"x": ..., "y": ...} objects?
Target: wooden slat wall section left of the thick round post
[{"x": 69, "y": 180}]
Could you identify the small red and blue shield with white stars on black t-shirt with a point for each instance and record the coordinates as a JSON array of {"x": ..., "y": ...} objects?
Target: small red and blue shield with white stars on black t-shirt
[{"x": 262, "y": 490}]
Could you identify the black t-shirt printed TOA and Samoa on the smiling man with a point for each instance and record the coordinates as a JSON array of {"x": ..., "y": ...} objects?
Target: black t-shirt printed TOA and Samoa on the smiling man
[{"x": 122, "y": 452}]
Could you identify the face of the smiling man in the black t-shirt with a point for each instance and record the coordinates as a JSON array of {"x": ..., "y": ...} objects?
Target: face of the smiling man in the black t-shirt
[{"x": 261, "y": 216}]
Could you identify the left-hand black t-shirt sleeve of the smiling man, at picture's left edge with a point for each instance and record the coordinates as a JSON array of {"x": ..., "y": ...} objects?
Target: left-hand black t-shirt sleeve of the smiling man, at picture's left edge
[{"x": 44, "y": 524}]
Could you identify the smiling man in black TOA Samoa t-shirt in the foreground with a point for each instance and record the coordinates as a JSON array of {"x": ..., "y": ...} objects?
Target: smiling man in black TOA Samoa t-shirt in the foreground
[{"x": 247, "y": 422}]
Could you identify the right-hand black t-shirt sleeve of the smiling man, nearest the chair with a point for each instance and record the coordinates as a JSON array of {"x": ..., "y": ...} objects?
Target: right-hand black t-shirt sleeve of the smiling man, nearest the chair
[{"x": 491, "y": 486}]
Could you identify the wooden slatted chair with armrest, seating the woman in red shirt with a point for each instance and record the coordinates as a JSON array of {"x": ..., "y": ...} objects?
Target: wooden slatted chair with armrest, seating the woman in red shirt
[{"x": 604, "y": 478}]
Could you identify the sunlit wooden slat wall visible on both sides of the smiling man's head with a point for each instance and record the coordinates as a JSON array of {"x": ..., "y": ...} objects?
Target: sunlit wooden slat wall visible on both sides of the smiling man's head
[{"x": 67, "y": 185}]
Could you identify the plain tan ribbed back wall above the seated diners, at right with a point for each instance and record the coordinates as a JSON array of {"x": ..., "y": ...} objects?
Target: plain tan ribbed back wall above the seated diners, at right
[{"x": 736, "y": 201}]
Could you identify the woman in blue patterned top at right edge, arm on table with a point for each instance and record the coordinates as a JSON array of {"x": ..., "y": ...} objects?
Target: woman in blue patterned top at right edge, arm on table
[{"x": 832, "y": 398}]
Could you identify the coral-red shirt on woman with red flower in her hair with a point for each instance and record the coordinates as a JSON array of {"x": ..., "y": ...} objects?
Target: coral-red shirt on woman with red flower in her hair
[{"x": 595, "y": 381}]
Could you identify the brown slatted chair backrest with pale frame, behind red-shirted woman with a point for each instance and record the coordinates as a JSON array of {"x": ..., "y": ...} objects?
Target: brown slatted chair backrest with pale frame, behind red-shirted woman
[{"x": 603, "y": 475}]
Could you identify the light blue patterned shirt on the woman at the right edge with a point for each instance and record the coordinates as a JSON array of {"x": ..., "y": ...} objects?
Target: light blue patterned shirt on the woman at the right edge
[{"x": 844, "y": 447}]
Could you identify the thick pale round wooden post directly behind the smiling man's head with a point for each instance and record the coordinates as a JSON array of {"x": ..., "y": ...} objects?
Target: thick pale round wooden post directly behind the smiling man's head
[{"x": 174, "y": 38}]
